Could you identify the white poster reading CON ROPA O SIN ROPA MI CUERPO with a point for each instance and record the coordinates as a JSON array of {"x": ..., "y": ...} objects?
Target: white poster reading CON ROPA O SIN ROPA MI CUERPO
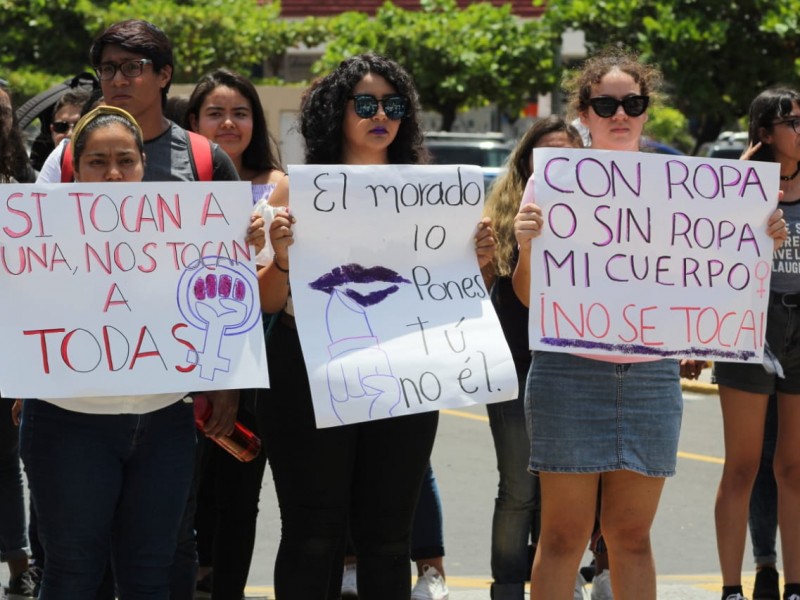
[{"x": 651, "y": 255}]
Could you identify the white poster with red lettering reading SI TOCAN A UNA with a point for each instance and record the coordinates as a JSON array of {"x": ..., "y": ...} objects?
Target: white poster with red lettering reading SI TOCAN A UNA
[{"x": 129, "y": 289}]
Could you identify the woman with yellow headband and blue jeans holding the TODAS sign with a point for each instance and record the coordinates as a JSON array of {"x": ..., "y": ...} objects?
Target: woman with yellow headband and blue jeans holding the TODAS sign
[{"x": 110, "y": 476}]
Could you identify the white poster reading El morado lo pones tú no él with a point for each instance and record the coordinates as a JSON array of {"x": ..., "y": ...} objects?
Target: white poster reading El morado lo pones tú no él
[{"x": 392, "y": 312}]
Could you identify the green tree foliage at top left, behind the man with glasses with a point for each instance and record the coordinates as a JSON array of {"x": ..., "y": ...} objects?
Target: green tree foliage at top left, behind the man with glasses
[{"x": 45, "y": 41}]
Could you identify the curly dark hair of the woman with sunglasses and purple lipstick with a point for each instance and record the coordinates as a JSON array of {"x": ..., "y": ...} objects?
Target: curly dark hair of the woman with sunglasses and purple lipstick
[{"x": 323, "y": 105}]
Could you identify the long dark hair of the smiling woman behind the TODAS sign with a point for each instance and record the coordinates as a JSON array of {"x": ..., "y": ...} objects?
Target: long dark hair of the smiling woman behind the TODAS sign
[{"x": 261, "y": 153}]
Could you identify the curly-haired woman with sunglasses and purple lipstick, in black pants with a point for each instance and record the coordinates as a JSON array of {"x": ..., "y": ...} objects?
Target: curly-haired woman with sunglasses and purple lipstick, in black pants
[{"x": 368, "y": 474}]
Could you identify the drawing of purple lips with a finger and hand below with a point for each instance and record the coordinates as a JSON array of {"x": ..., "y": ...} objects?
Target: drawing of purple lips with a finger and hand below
[{"x": 360, "y": 379}]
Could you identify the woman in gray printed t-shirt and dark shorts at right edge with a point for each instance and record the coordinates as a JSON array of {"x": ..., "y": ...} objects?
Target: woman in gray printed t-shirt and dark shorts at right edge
[{"x": 744, "y": 389}]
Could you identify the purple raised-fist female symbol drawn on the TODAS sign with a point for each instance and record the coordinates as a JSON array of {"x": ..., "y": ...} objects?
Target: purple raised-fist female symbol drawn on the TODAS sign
[{"x": 217, "y": 296}]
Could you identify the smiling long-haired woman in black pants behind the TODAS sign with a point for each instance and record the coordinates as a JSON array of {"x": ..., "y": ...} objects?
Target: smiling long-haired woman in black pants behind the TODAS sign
[{"x": 225, "y": 108}]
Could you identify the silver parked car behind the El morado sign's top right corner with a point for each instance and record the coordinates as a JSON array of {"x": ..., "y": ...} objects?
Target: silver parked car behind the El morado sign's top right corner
[{"x": 487, "y": 150}]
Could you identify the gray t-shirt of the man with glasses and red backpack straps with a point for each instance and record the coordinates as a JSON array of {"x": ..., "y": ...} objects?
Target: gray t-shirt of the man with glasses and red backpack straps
[{"x": 166, "y": 159}]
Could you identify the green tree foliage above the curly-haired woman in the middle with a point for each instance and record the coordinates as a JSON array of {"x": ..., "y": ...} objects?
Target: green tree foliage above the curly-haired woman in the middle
[{"x": 459, "y": 58}]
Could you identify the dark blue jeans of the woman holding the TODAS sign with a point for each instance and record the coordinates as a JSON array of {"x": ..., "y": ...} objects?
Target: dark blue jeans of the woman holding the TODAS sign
[{"x": 108, "y": 485}]
